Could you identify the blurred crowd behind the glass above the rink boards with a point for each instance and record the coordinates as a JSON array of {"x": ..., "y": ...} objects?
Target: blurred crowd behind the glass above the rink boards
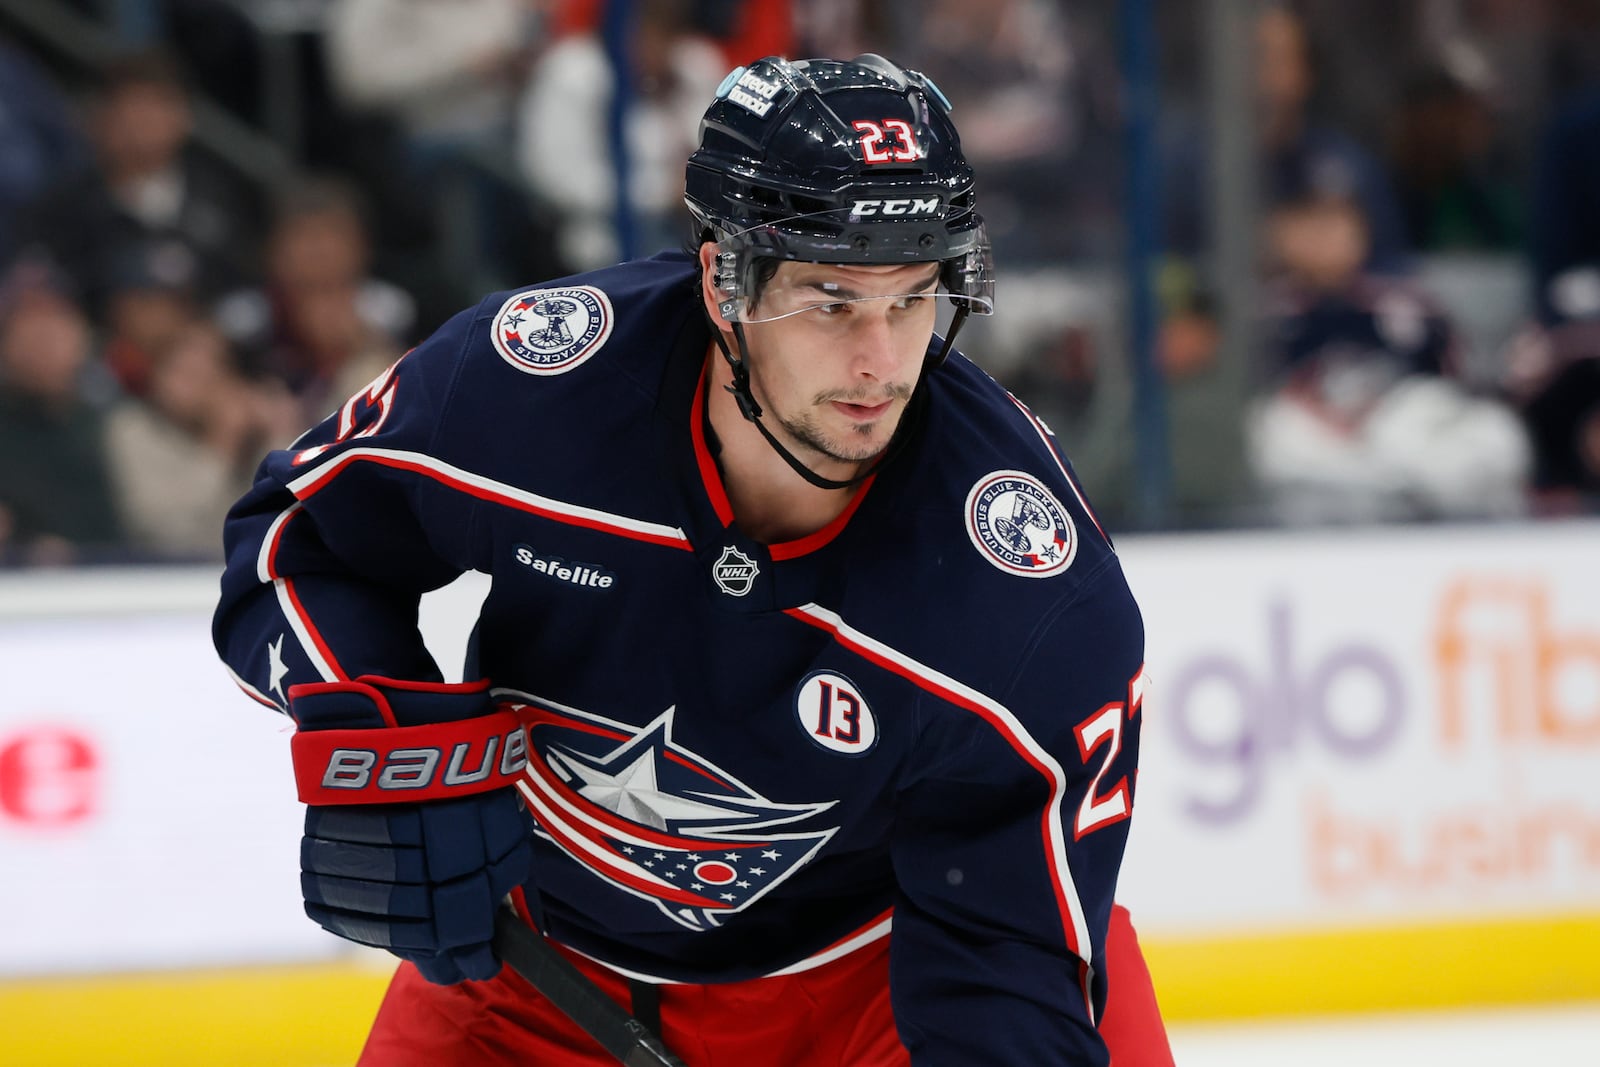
[{"x": 167, "y": 314}]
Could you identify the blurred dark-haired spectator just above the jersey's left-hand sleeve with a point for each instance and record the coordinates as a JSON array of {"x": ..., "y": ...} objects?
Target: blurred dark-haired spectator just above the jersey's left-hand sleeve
[{"x": 322, "y": 321}]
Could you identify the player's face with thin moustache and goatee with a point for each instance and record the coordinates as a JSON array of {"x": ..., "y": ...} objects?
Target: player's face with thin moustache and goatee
[{"x": 836, "y": 377}]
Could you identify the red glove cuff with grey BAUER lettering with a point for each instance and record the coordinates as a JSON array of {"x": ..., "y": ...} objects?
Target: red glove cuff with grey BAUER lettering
[{"x": 409, "y": 764}]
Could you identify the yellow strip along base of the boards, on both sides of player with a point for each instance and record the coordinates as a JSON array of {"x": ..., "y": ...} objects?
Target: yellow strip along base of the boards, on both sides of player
[{"x": 318, "y": 1017}]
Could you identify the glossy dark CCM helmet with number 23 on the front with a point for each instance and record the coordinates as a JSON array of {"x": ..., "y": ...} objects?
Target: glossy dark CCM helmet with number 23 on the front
[{"x": 836, "y": 162}]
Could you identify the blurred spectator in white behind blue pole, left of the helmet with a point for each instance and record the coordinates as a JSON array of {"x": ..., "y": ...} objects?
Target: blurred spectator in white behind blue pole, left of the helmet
[{"x": 564, "y": 142}]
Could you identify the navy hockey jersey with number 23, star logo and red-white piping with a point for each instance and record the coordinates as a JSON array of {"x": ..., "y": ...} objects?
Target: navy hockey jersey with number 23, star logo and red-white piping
[{"x": 743, "y": 759}]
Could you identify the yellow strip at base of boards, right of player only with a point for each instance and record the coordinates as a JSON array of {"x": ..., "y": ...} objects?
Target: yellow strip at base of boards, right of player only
[{"x": 1447, "y": 965}]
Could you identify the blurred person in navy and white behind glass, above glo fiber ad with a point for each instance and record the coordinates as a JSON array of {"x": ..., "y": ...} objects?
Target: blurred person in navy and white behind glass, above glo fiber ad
[{"x": 1359, "y": 418}]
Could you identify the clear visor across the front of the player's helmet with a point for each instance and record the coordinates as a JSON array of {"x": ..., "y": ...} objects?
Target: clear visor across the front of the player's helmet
[{"x": 756, "y": 287}]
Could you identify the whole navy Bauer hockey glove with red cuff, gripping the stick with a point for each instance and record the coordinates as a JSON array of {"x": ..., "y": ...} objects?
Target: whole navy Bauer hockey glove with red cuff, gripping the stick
[{"x": 414, "y": 833}]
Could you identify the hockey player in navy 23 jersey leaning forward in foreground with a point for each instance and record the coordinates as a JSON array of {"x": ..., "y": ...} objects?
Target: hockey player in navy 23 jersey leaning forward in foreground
[{"x": 806, "y": 700}]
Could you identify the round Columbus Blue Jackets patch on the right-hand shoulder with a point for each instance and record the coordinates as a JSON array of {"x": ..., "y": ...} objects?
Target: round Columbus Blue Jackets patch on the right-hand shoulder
[{"x": 1017, "y": 526}]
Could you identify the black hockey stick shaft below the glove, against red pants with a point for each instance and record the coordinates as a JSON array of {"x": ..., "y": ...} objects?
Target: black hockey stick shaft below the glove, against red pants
[{"x": 582, "y": 1001}]
